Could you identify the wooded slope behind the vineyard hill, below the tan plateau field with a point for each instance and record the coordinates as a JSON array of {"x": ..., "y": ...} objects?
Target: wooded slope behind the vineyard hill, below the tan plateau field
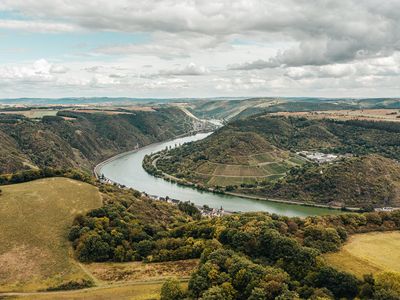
[{"x": 356, "y": 137}]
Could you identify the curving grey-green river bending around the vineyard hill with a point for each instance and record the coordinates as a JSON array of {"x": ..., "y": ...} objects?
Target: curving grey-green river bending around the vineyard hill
[{"x": 127, "y": 170}]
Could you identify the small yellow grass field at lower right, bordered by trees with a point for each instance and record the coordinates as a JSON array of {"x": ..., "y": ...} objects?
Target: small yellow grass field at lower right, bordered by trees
[{"x": 368, "y": 253}]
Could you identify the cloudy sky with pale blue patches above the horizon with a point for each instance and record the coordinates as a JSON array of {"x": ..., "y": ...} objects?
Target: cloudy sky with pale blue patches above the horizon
[{"x": 199, "y": 48}]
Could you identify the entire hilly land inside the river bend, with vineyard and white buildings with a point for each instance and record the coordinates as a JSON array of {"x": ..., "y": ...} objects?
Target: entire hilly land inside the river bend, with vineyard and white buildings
[{"x": 248, "y": 155}]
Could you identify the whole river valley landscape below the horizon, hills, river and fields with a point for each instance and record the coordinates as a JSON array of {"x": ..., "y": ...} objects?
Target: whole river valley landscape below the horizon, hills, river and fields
[{"x": 121, "y": 236}]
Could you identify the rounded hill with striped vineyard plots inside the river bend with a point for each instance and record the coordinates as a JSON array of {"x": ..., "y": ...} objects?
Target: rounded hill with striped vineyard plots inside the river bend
[{"x": 228, "y": 158}]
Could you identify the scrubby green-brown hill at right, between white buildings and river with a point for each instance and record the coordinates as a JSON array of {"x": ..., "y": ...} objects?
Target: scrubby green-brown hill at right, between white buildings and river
[{"x": 369, "y": 181}]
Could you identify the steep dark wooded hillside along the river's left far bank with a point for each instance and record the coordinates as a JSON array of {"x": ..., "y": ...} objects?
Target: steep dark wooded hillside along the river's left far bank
[{"x": 82, "y": 139}]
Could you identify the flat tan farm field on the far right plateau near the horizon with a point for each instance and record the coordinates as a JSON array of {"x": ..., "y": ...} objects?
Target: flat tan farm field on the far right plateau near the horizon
[{"x": 392, "y": 115}]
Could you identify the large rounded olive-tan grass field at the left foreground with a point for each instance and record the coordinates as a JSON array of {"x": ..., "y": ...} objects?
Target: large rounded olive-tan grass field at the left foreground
[{"x": 34, "y": 220}]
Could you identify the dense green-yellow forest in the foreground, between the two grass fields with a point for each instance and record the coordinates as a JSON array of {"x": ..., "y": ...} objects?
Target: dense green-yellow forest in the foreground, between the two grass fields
[{"x": 242, "y": 256}]
